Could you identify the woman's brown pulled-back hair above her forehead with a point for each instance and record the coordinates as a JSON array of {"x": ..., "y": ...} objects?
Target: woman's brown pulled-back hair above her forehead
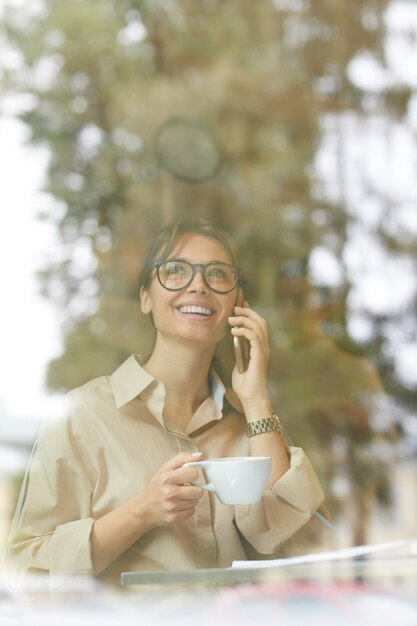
[{"x": 165, "y": 241}]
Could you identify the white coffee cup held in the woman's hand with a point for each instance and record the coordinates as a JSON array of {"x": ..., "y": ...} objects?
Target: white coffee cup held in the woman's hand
[{"x": 235, "y": 479}]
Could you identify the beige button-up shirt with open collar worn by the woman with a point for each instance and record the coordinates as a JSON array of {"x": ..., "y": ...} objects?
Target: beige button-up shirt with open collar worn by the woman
[{"x": 110, "y": 446}]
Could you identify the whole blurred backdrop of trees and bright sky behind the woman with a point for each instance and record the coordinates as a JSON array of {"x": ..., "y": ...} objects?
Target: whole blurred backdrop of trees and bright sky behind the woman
[{"x": 292, "y": 124}]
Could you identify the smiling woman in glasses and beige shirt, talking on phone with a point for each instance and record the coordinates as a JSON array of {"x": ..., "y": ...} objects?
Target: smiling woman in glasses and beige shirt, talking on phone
[{"x": 106, "y": 491}]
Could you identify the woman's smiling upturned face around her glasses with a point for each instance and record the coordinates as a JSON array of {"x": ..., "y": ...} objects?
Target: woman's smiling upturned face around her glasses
[{"x": 170, "y": 309}]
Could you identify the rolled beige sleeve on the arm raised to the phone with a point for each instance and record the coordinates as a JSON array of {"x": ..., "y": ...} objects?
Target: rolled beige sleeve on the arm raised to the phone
[{"x": 285, "y": 507}]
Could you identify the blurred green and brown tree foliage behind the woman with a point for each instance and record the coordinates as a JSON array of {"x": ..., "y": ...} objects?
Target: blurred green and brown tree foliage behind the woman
[{"x": 104, "y": 76}]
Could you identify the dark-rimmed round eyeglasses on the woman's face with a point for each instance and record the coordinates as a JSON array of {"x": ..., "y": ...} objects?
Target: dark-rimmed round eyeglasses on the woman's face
[{"x": 176, "y": 274}]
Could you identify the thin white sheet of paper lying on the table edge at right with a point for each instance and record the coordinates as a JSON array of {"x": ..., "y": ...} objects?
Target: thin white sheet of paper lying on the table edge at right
[{"x": 333, "y": 555}]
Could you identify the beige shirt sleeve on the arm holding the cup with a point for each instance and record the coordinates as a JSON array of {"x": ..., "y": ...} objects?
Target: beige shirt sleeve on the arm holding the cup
[{"x": 53, "y": 526}]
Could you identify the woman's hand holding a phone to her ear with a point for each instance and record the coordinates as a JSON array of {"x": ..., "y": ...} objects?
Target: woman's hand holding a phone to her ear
[{"x": 251, "y": 385}]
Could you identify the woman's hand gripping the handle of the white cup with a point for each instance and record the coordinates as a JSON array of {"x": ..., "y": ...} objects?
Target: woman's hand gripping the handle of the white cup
[{"x": 169, "y": 496}]
